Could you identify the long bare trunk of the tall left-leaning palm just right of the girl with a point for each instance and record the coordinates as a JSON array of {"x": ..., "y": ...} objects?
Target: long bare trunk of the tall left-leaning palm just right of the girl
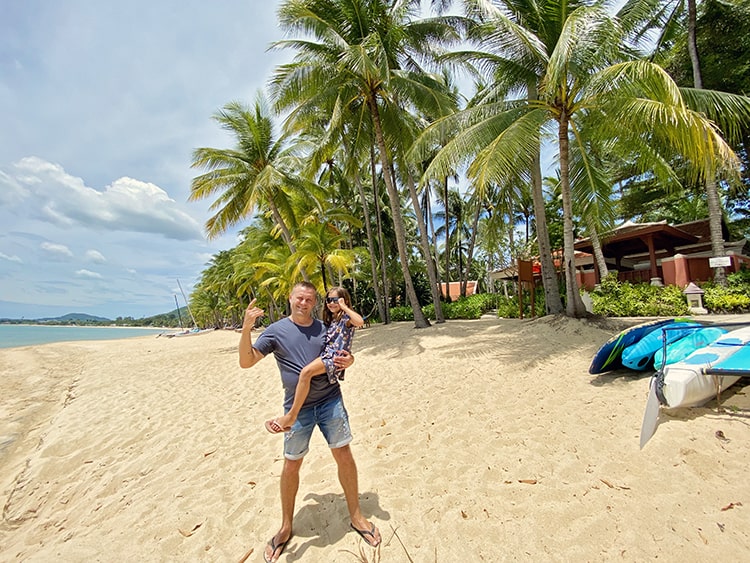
[{"x": 420, "y": 321}]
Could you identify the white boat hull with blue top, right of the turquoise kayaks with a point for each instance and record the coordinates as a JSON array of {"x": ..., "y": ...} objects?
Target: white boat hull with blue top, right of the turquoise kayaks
[{"x": 687, "y": 384}]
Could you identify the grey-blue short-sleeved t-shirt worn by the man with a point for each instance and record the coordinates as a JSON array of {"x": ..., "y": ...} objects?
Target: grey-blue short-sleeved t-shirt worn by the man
[{"x": 294, "y": 347}]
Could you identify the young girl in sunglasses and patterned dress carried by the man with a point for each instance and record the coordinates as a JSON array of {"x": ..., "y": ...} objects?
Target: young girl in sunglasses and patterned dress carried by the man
[{"x": 341, "y": 321}]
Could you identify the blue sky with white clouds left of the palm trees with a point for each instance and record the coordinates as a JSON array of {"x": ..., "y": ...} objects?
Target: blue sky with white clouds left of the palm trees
[{"x": 101, "y": 106}]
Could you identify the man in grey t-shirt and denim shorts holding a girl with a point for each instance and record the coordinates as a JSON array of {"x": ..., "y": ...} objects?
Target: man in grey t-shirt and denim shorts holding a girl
[{"x": 296, "y": 341}]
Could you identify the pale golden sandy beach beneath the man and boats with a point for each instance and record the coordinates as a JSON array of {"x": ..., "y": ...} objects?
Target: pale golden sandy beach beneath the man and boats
[{"x": 482, "y": 440}]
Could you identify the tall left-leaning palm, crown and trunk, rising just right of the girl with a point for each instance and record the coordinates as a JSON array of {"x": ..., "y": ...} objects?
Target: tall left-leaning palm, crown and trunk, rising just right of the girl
[{"x": 359, "y": 53}]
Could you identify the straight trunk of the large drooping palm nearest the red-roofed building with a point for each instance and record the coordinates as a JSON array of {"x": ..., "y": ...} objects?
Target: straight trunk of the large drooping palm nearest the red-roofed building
[{"x": 574, "y": 306}]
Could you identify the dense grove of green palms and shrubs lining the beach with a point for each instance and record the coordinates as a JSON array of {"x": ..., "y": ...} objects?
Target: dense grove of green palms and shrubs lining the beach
[{"x": 396, "y": 150}]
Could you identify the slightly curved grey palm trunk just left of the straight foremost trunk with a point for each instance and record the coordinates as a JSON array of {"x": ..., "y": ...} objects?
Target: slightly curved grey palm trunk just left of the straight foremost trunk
[{"x": 552, "y": 301}]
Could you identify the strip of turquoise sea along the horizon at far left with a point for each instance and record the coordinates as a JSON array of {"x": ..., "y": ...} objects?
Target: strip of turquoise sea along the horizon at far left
[{"x": 29, "y": 335}]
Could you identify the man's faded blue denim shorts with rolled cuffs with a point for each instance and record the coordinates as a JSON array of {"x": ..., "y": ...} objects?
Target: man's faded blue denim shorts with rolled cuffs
[{"x": 330, "y": 417}]
